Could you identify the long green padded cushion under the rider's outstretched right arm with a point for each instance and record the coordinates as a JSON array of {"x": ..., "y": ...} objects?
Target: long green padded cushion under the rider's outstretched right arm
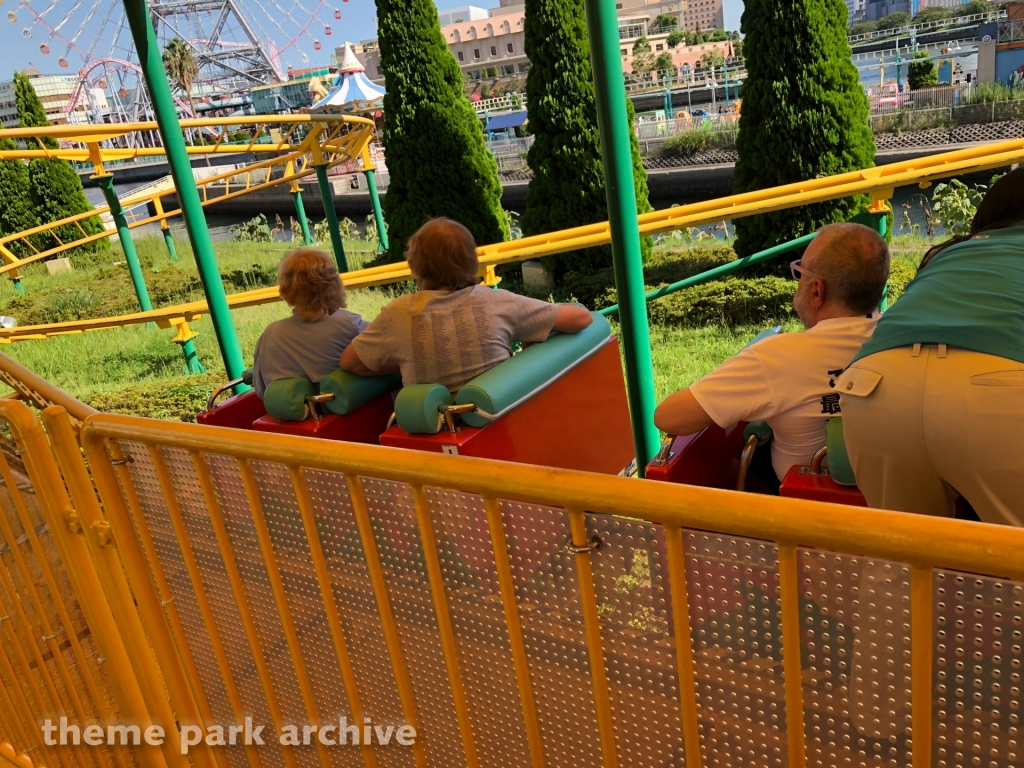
[{"x": 519, "y": 378}]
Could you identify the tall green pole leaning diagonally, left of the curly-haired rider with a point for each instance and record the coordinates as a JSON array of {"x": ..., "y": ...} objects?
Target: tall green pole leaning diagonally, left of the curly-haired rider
[{"x": 192, "y": 209}]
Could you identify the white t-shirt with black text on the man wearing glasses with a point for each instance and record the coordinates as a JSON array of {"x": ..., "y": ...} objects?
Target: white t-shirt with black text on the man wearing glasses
[{"x": 788, "y": 380}]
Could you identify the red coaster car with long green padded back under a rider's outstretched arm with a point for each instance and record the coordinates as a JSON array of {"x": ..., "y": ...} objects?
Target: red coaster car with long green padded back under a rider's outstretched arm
[{"x": 561, "y": 404}]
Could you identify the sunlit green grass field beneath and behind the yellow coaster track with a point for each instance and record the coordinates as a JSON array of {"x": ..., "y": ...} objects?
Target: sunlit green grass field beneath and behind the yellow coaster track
[{"x": 139, "y": 370}]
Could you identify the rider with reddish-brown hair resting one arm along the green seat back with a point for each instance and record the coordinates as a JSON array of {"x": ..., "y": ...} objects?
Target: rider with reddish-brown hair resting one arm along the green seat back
[{"x": 453, "y": 329}]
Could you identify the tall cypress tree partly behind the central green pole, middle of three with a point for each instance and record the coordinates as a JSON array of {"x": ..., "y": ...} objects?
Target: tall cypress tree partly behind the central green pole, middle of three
[{"x": 568, "y": 187}]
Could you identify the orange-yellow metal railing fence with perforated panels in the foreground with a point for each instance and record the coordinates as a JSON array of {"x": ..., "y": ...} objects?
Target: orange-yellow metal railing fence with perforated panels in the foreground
[{"x": 510, "y": 615}]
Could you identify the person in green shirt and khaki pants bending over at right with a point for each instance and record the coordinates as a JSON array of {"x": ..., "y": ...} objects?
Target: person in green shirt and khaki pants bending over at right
[{"x": 933, "y": 405}]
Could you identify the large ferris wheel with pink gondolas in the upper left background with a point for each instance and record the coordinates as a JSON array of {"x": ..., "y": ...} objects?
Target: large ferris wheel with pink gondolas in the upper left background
[{"x": 237, "y": 45}]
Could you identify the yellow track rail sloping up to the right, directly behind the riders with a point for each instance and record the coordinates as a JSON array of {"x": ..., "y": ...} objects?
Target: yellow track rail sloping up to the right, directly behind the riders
[{"x": 880, "y": 183}]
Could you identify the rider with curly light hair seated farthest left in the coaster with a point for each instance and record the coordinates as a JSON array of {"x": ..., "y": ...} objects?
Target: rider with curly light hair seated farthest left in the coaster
[{"x": 312, "y": 340}]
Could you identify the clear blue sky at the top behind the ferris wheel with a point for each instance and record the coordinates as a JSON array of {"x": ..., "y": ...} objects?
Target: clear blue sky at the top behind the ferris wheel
[{"x": 357, "y": 24}]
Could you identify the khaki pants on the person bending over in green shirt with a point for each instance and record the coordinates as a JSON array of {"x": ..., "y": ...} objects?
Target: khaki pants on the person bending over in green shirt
[{"x": 925, "y": 422}]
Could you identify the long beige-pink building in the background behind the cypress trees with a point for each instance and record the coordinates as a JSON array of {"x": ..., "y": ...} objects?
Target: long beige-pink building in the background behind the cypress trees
[{"x": 487, "y": 42}]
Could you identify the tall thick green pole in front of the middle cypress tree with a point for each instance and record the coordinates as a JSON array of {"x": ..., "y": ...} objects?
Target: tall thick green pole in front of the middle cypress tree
[{"x": 603, "y": 28}]
